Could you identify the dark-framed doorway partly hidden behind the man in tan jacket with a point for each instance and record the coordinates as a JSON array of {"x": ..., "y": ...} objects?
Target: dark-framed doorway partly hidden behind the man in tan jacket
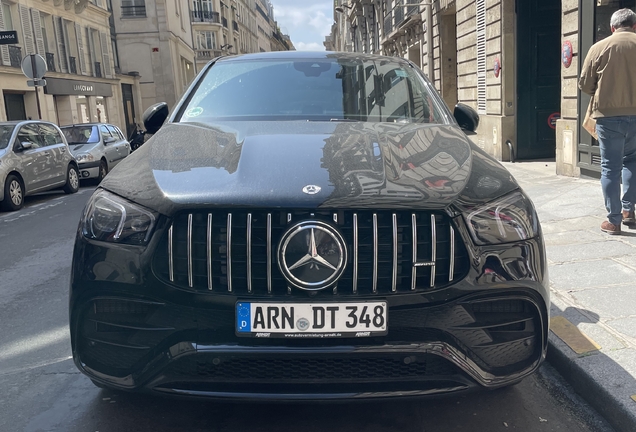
[{"x": 594, "y": 26}]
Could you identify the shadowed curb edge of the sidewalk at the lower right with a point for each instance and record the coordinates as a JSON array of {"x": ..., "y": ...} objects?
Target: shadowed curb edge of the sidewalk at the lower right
[{"x": 590, "y": 390}]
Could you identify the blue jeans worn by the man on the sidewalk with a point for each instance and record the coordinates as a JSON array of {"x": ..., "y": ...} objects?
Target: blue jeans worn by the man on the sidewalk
[{"x": 617, "y": 138}]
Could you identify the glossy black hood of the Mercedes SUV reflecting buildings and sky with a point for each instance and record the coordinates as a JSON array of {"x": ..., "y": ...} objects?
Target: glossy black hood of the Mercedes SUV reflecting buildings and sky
[{"x": 306, "y": 165}]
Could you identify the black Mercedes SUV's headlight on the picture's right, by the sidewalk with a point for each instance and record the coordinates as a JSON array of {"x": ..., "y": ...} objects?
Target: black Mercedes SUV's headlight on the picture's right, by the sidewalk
[{"x": 506, "y": 220}]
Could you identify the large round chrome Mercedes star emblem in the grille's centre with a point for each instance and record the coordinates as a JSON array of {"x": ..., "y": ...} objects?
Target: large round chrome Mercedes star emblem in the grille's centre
[{"x": 312, "y": 255}]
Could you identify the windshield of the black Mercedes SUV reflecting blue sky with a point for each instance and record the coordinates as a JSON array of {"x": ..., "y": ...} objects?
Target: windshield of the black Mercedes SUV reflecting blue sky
[{"x": 320, "y": 90}]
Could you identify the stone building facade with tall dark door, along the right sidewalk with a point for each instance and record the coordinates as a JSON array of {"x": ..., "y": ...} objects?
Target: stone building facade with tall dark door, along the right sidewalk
[{"x": 515, "y": 62}]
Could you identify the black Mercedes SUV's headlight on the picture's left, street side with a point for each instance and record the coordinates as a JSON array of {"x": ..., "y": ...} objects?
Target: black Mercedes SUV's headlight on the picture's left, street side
[{"x": 113, "y": 219}]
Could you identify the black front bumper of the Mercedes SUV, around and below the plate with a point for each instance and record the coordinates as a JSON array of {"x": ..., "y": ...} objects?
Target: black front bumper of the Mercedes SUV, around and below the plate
[{"x": 481, "y": 340}]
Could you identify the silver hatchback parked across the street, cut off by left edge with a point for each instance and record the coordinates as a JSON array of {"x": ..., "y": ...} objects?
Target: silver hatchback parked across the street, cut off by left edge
[{"x": 34, "y": 157}]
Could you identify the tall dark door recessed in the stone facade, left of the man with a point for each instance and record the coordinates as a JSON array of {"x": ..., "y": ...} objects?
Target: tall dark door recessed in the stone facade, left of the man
[{"x": 538, "y": 77}]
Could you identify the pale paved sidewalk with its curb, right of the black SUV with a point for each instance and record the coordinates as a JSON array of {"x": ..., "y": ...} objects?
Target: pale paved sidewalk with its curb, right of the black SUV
[{"x": 593, "y": 286}]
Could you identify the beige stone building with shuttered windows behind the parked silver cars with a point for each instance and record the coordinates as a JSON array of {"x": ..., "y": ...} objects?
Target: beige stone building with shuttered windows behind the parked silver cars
[{"x": 84, "y": 83}]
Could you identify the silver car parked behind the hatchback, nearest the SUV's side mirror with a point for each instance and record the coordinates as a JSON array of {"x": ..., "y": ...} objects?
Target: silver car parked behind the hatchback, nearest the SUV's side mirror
[{"x": 98, "y": 147}]
